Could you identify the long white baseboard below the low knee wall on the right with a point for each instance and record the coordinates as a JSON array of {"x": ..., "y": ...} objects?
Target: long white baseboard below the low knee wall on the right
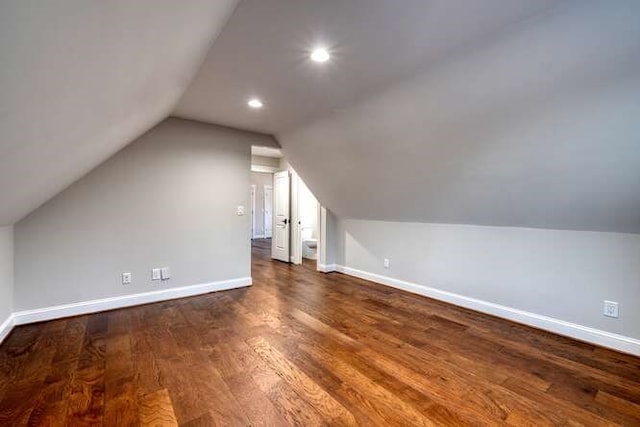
[{"x": 560, "y": 327}]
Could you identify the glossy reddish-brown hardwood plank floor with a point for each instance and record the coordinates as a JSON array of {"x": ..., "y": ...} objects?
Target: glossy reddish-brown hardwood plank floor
[{"x": 305, "y": 348}]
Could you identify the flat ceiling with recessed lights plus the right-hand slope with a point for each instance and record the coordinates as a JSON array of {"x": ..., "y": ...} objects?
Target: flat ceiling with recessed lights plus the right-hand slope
[{"x": 508, "y": 113}]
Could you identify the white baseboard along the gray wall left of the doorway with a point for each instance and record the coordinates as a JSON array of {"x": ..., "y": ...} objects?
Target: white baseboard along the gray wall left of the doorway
[{"x": 94, "y": 306}]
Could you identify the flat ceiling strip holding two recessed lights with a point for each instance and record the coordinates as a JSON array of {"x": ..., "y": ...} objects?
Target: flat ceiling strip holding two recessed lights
[{"x": 264, "y": 52}]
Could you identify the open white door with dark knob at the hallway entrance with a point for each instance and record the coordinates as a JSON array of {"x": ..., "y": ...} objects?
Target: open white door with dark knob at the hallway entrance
[{"x": 281, "y": 226}]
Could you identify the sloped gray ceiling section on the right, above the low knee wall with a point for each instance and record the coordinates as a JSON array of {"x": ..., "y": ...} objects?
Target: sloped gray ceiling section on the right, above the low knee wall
[{"x": 539, "y": 128}]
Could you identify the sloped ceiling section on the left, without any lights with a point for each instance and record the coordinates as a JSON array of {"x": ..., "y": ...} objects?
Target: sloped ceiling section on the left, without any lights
[{"x": 80, "y": 79}]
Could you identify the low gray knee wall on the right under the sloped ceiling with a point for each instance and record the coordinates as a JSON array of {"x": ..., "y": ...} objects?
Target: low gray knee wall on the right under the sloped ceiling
[{"x": 561, "y": 274}]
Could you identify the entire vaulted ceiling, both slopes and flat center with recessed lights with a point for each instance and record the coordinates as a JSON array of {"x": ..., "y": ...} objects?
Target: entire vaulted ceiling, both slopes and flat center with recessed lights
[{"x": 497, "y": 112}]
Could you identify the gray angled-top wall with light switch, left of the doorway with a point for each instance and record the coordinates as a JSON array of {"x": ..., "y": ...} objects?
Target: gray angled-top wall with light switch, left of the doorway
[{"x": 168, "y": 199}]
